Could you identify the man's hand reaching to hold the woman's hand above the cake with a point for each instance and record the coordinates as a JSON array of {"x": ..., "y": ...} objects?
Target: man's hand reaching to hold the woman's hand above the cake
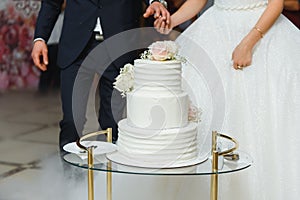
[{"x": 158, "y": 11}]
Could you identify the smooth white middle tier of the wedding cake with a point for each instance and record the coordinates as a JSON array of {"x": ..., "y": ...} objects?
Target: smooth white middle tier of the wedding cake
[{"x": 160, "y": 111}]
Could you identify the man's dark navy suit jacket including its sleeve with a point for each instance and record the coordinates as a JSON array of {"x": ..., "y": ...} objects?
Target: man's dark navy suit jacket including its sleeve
[{"x": 80, "y": 19}]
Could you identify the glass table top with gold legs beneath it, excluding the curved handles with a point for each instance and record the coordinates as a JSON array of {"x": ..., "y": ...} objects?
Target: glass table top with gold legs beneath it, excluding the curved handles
[{"x": 101, "y": 163}]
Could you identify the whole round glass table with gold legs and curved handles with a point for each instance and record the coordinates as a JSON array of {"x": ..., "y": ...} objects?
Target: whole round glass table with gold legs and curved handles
[{"x": 221, "y": 161}]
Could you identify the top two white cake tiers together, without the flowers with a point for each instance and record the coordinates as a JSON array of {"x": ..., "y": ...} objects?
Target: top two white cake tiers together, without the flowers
[{"x": 157, "y": 101}]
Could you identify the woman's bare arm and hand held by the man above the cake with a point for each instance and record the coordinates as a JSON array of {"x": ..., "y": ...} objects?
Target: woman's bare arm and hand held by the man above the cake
[{"x": 188, "y": 10}]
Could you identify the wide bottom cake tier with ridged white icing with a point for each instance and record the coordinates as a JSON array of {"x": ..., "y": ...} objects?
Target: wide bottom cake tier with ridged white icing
[{"x": 172, "y": 145}]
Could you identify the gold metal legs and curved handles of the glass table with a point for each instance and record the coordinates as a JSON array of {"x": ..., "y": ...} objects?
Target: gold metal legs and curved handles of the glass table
[{"x": 216, "y": 153}]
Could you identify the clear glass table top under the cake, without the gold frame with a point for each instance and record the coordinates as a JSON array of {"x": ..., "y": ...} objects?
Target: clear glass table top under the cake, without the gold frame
[{"x": 102, "y": 163}]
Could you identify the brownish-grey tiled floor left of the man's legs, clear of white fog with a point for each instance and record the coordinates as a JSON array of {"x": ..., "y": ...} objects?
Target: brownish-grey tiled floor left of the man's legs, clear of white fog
[{"x": 28, "y": 135}]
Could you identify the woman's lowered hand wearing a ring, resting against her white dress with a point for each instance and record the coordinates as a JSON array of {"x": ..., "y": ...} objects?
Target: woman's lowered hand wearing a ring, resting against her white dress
[{"x": 242, "y": 56}]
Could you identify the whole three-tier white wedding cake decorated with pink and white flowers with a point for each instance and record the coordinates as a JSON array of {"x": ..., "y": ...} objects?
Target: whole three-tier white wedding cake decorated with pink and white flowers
[{"x": 157, "y": 131}]
